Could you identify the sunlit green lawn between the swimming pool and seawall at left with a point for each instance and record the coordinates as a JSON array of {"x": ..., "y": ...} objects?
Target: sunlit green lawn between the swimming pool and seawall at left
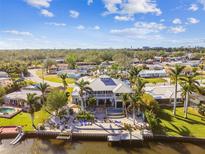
[{"x": 23, "y": 119}]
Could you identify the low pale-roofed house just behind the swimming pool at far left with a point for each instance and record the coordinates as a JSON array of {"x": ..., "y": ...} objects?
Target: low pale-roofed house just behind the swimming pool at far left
[{"x": 18, "y": 98}]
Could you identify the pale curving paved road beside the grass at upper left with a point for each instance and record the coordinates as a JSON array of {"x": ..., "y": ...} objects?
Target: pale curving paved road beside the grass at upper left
[{"x": 34, "y": 77}]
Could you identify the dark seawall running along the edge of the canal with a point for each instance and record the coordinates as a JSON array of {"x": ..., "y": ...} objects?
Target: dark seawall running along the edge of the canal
[{"x": 103, "y": 137}]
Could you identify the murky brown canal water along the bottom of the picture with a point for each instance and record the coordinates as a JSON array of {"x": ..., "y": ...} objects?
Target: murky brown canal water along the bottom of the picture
[{"x": 37, "y": 146}]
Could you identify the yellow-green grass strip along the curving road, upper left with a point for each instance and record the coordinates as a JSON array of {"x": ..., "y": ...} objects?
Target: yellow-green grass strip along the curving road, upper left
[{"x": 54, "y": 78}]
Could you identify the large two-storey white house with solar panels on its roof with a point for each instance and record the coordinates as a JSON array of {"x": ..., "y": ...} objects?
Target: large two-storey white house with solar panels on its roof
[{"x": 107, "y": 91}]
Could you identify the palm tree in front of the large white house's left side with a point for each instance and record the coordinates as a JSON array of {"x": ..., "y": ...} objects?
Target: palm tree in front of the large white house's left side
[{"x": 83, "y": 85}]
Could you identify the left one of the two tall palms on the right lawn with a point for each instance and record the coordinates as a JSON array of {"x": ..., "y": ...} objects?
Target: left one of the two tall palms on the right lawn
[{"x": 174, "y": 74}]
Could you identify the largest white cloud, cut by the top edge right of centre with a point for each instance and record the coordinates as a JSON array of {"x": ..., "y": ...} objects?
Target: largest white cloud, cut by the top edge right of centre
[{"x": 131, "y": 7}]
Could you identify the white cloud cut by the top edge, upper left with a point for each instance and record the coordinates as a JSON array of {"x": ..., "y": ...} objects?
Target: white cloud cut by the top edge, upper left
[{"x": 39, "y": 3}]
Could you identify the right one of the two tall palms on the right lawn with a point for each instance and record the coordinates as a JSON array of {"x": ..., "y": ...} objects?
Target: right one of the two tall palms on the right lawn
[{"x": 189, "y": 84}]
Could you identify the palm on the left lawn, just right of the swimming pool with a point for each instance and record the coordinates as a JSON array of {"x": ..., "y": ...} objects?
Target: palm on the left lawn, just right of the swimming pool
[{"x": 34, "y": 106}]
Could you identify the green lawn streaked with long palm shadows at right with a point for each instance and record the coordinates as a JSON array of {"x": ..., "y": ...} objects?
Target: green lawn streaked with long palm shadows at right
[{"x": 179, "y": 126}]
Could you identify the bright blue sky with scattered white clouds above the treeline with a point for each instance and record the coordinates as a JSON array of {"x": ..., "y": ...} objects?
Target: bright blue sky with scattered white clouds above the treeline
[{"x": 66, "y": 24}]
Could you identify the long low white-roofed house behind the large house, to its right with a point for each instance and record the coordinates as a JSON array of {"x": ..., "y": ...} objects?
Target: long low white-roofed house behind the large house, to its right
[{"x": 152, "y": 73}]
